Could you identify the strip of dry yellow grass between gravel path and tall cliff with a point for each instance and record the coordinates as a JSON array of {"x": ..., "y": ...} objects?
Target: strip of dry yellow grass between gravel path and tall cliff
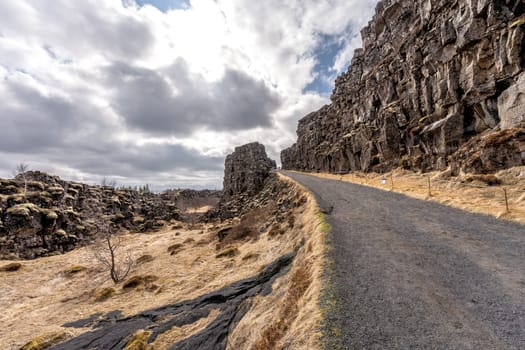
[{"x": 472, "y": 193}]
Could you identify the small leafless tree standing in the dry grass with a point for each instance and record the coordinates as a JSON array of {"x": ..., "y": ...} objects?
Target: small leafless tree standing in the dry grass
[{"x": 110, "y": 252}]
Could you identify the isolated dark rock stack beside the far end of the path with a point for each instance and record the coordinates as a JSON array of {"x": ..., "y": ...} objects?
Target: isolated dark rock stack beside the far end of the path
[{"x": 247, "y": 171}]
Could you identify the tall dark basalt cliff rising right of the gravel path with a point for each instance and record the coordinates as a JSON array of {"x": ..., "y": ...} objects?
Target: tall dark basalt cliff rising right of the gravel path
[{"x": 432, "y": 75}]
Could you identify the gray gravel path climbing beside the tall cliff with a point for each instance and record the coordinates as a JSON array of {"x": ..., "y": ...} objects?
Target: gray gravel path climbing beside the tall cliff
[{"x": 412, "y": 274}]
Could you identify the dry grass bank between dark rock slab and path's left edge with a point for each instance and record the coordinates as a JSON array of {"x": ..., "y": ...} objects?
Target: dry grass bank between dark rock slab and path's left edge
[{"x": 290, "y": 316}]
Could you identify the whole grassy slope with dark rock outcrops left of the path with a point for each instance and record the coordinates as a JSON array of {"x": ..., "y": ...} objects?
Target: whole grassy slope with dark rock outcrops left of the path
[{"x": 251, "y": 281}]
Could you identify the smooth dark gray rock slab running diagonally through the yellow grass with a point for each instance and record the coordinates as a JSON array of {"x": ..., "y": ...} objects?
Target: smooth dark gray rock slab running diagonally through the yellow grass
[{"x": 114, "y": 331}]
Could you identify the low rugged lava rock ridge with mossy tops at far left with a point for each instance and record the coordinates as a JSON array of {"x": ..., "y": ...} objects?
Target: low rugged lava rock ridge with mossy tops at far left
[{"x": 41, "y": 214}]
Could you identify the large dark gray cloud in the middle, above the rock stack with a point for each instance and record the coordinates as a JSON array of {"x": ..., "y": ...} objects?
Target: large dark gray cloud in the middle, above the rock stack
[{"x": 180, "y": 102}]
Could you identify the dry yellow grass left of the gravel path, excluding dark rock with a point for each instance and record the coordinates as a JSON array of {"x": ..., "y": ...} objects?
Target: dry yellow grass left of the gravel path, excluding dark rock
[{"x": 51, "y": 291}]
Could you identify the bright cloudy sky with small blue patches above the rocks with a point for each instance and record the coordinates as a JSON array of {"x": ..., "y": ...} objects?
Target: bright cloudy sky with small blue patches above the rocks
[{"x": 159, "y": 91}]
